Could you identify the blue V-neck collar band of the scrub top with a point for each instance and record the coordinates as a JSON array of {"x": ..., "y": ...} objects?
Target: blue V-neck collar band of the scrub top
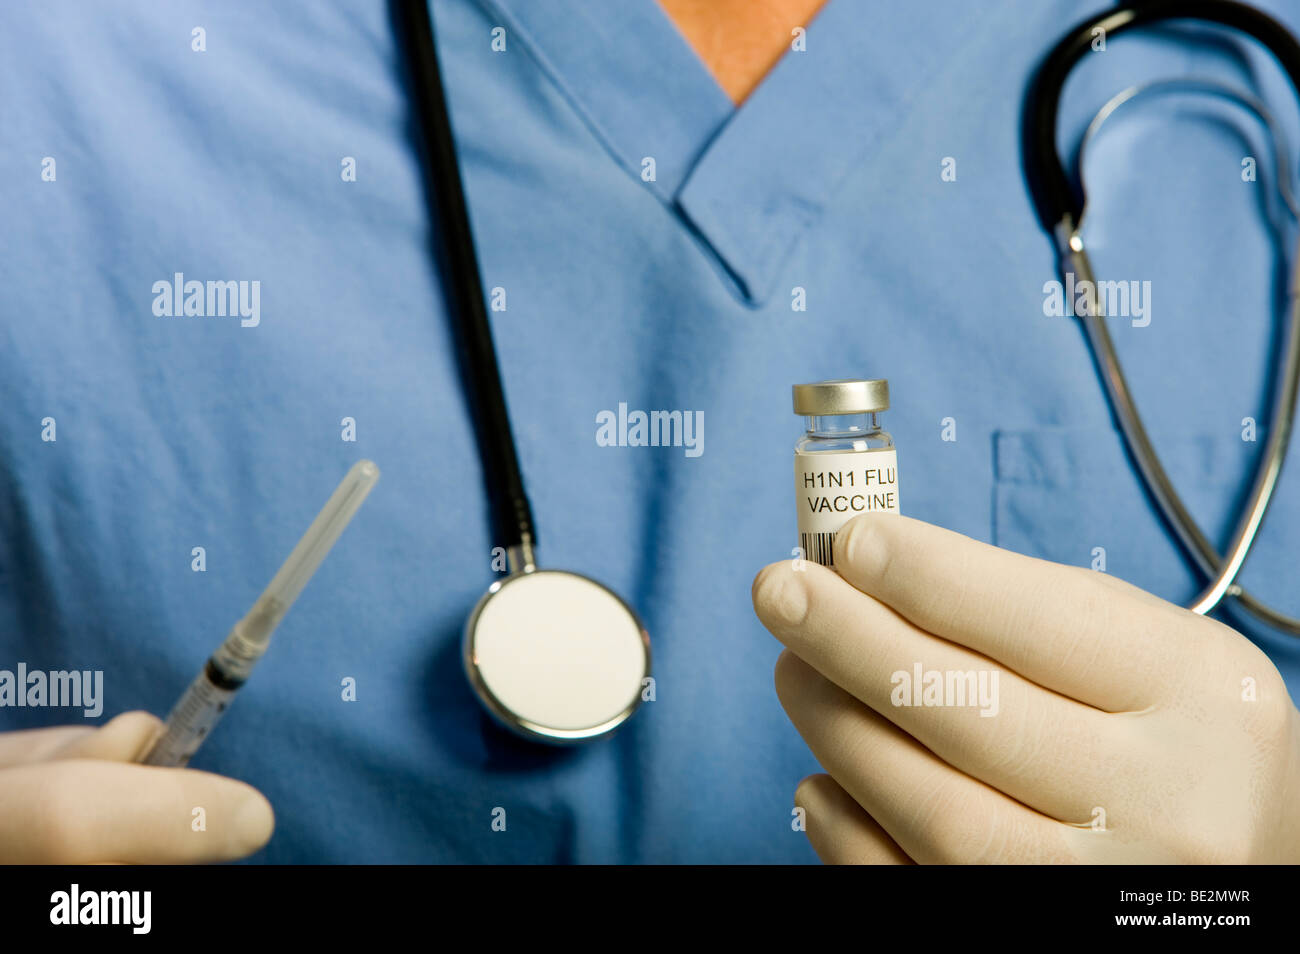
[{"x": 751, "y": 180}]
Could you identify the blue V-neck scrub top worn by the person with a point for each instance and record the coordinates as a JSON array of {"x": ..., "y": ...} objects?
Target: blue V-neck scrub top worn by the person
[{"x": 670, "y": 284}]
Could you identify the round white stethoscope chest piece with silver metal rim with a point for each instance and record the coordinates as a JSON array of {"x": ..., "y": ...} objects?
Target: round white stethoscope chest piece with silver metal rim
[{"x": 557, "y": 657}]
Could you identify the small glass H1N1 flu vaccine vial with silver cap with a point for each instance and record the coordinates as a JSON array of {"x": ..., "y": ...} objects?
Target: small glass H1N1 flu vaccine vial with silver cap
[{"x": 846, "y": 465}]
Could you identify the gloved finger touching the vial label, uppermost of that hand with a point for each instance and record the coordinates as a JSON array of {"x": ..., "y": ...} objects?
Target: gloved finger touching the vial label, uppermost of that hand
[{"x": 1084, "y": 634}]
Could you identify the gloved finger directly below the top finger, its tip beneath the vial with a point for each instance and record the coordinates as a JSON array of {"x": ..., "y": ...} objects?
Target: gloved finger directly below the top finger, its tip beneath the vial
[{"x": 989, "y": 722}]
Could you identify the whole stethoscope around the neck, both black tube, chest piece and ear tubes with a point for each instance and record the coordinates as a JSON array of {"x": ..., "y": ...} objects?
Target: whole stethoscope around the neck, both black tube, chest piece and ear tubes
[{"x": 557, "y": 657}]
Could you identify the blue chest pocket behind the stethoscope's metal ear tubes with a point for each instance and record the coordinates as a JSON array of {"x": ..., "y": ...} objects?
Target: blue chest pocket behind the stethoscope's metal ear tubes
[{"x": 1071, "y": 496}]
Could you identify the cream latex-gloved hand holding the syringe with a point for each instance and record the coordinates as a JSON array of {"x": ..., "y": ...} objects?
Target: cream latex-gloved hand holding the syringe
[{"x": 70, "y": 796}]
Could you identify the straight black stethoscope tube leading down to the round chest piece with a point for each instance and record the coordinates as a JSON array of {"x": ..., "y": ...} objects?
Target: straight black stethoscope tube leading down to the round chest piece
[{"x": 513, "y": 517}]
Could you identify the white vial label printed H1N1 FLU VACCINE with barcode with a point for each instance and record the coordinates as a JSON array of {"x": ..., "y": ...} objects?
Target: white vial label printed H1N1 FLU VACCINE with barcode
[{"x": 831, "y": 488}]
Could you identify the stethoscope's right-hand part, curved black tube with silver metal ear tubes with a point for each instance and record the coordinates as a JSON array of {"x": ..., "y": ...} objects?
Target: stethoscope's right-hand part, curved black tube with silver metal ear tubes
[{"x": 1061, "y": 205}]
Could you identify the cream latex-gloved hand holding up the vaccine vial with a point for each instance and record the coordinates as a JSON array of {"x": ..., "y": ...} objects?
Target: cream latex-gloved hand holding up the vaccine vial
[{"x": 1113, "y": 706}]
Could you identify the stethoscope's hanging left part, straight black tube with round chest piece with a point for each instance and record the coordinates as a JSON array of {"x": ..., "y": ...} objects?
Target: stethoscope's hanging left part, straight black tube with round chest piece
[{"x": 553, "y": 656}]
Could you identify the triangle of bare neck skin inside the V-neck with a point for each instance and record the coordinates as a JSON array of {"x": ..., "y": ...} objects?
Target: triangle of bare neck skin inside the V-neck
[{"x": 740, "y": 41}]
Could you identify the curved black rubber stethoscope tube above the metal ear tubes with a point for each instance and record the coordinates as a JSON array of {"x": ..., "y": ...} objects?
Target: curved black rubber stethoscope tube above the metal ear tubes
[{"x": 1056, "y": 196}]
